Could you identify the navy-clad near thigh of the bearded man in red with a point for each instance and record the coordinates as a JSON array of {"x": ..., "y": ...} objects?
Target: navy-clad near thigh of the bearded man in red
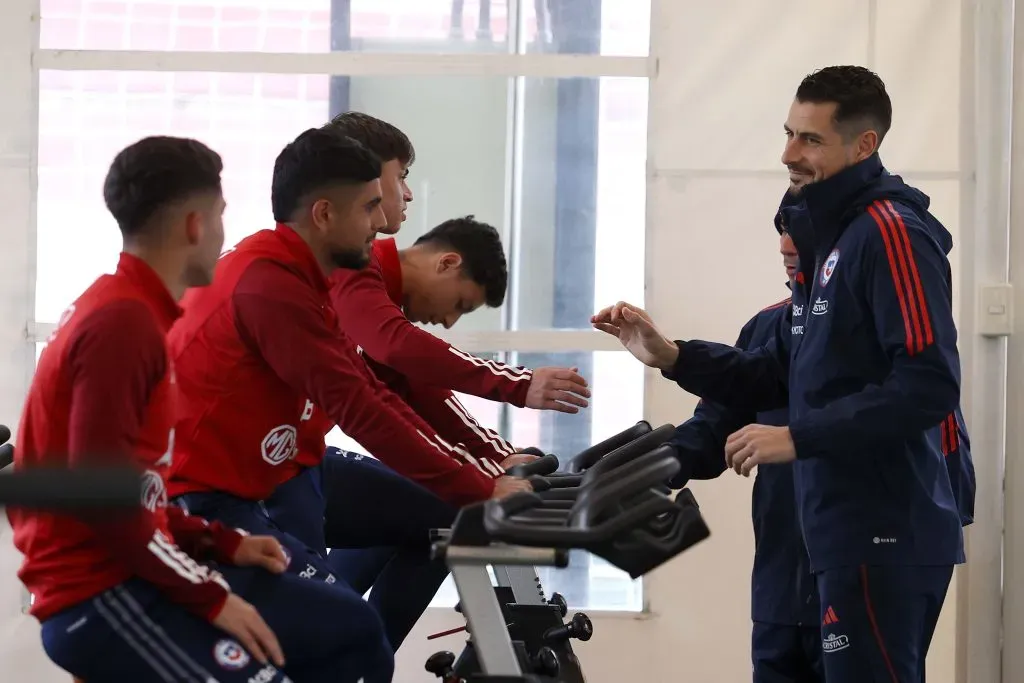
[{"x": 252, "y": 518}]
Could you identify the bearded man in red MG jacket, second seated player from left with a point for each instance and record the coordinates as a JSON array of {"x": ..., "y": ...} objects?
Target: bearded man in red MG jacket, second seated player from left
[{"x": 264, "y": 369}]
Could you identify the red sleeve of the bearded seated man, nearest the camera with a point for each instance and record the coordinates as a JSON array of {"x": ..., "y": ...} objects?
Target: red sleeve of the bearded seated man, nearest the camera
[{"x": 284, "y": 318}]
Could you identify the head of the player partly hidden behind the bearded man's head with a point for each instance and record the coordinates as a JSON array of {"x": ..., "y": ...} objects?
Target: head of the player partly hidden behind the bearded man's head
[{"x": 397, "y": 155}]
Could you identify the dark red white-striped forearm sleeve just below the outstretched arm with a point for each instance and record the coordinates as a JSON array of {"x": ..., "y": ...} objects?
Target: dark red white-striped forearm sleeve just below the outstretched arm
[{"x": 440, "y": 408}]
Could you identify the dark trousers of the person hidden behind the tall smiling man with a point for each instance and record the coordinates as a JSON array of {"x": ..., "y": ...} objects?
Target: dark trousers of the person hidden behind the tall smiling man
[{"x": 784, "y": 654}]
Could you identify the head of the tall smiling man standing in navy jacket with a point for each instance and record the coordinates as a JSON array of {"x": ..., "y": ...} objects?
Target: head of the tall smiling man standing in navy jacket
[{"x": 839, "y": 118}]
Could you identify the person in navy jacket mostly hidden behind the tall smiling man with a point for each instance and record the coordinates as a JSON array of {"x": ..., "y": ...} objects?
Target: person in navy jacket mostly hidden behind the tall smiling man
[{"x": 785, "y": 607}]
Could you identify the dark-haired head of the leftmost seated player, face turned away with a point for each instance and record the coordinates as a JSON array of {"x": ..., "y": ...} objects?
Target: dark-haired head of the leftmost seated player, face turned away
[{"x": 165, "y": 194}]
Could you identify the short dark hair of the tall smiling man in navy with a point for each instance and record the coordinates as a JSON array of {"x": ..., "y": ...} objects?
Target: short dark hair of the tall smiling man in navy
[{"x": 861, "y": 98}]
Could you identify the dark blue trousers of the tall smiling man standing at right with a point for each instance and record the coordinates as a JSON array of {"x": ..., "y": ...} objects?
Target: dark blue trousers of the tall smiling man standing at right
[{"x": 878, "y": 622}]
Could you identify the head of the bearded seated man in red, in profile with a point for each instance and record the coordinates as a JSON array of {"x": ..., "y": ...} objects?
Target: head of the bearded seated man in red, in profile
[{"x": 327, "y": 187}]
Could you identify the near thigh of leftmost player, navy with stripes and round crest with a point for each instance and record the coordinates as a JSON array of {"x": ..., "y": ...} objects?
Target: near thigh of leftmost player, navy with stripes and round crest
[{"x": 133, "y": 633}]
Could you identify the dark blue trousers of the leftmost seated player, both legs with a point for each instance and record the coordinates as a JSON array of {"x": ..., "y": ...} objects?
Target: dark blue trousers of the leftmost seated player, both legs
[{"x": 134, "y": 633}]
